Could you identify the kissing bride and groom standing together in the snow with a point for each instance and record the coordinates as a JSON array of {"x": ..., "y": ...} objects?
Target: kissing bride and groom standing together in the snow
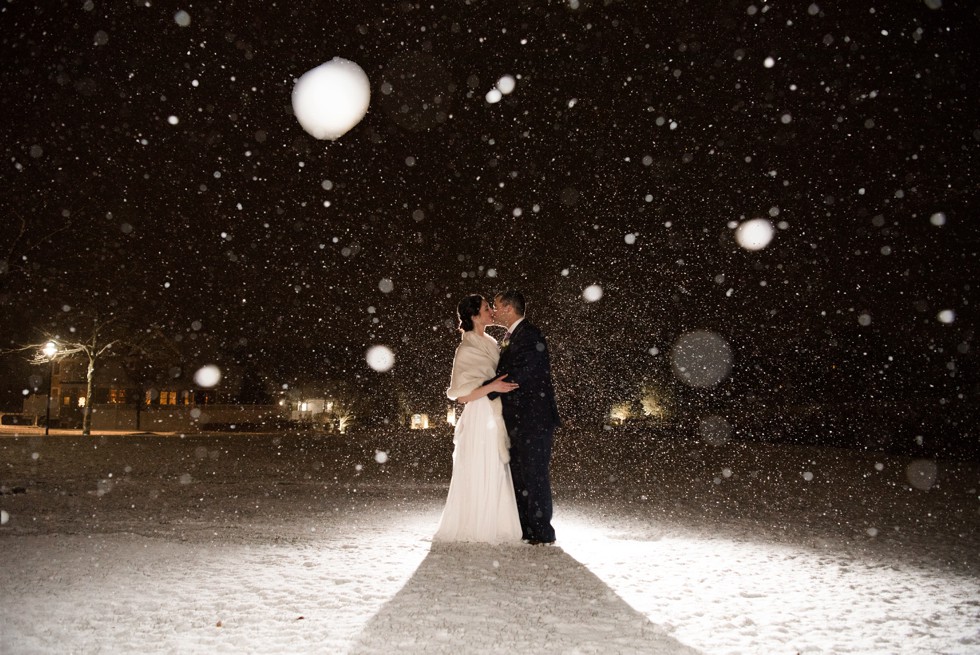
[{"x": 500, "y": 491}]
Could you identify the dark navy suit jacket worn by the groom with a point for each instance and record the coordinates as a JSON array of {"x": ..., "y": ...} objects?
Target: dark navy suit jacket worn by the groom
[{"x": 525, "y": 359}]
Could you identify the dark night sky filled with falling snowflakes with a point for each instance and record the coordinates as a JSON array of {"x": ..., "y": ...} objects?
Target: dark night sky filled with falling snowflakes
[{"x": 633, "y": 141}]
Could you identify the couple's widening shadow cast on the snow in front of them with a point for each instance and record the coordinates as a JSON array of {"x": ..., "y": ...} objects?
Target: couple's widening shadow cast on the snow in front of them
[{"x": 513, "y": 599}]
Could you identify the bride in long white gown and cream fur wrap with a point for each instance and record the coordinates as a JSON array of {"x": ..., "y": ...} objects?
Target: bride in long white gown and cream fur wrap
[{"x": 480, "y": 506}]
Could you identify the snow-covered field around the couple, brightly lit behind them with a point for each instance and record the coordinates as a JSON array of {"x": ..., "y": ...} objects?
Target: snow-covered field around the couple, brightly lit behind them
[{"x": 299, "y": 544}]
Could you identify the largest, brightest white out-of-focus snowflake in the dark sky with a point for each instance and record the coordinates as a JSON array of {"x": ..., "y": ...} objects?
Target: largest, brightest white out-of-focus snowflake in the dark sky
[{"x": 332, "y": 98}]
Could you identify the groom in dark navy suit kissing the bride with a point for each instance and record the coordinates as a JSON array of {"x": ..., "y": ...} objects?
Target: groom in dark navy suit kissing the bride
[{"x": 530, "y": 413}]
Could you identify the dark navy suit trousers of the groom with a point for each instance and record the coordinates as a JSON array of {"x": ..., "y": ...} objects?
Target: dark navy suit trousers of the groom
[{"x": 530, "y": 464}]
